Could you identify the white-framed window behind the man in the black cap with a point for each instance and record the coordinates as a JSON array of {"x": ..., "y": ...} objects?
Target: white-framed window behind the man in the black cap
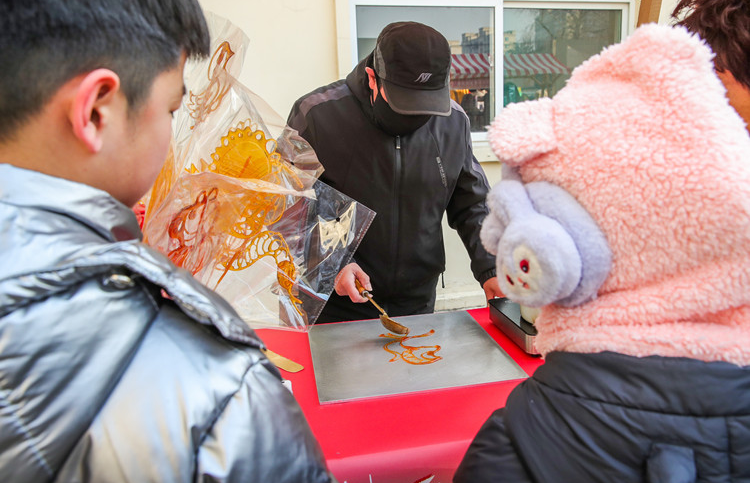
[{"x": 541, "y": 43}]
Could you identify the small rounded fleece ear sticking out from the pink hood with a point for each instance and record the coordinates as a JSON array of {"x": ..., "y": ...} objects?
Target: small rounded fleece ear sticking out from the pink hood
[{"x": 523, "y": 131}]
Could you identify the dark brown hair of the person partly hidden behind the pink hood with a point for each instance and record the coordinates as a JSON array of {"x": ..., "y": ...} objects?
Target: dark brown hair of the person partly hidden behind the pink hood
[{"x": 725, "y": 26}]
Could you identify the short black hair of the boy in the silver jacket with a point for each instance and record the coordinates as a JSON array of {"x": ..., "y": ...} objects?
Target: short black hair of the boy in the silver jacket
[{"x": 45, "y": 43}]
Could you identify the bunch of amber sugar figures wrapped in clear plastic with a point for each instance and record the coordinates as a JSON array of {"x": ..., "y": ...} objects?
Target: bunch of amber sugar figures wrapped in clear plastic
[{"x": 238, "y": 202}]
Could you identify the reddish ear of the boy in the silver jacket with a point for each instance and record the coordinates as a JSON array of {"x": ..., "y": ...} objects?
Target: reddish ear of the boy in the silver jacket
[{"x": 92, "y": 106}]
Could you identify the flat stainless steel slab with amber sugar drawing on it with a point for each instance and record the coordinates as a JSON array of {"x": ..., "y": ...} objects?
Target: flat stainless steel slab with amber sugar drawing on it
[{"x": 350, "y": 361}]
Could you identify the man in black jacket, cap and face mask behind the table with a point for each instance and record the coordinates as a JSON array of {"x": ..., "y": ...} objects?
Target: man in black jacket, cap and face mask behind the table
[{"x": 390, "y": 137}]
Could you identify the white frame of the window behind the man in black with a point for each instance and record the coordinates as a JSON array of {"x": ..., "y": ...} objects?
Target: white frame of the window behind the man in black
[{"x": 347, "y": 29}]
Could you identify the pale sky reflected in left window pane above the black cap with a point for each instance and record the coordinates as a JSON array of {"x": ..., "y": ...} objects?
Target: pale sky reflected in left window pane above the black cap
[{"x": 450, "y": 21}]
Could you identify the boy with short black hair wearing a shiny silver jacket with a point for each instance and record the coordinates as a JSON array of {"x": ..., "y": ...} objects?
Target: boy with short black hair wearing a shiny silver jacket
[{"x": 115, "y": 365}]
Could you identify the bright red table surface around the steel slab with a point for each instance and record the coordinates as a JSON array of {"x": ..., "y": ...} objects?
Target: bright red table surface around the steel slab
[{"x": 414, "y": 437}]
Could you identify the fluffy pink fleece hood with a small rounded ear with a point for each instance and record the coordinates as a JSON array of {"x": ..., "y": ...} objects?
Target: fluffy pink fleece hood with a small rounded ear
[{"x": 644, "y": 139}]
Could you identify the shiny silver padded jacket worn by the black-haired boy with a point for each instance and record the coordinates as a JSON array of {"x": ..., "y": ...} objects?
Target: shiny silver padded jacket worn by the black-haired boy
[{"x": 103, "y": 379}]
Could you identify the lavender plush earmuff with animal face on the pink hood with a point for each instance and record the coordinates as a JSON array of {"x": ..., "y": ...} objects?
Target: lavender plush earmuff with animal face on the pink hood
[{"x": 548, "y": 248}]
